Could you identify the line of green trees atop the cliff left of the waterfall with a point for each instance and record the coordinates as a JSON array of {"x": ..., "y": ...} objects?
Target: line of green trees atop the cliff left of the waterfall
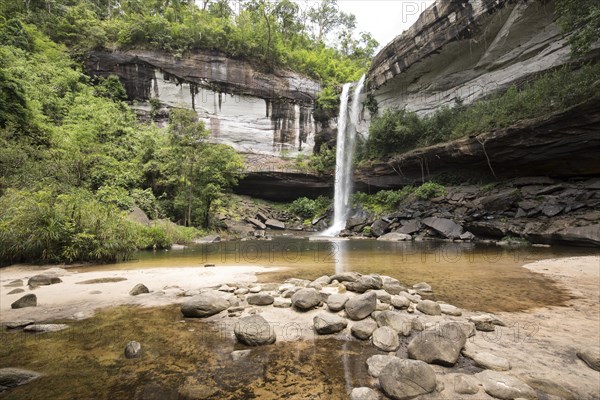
[{"x": 269, "y": 33}]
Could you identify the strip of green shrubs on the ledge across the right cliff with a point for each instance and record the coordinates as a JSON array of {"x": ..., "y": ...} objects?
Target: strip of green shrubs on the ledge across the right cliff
[{"x": 397, "y": 131}]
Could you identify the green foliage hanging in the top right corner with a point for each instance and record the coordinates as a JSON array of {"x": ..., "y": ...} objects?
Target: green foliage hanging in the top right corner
[{"x": 580, "y": 19}]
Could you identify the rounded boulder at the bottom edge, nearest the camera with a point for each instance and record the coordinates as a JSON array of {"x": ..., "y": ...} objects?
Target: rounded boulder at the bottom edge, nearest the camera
[{"x": 406, "y": 379}]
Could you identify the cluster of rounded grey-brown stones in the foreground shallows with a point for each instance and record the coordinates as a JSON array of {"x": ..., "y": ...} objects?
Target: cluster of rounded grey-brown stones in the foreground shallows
[{"x": 413, "y": 332}]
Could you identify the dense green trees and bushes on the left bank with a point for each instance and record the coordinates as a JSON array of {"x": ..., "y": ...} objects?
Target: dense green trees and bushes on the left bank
[{"x": 74, "y": 161}]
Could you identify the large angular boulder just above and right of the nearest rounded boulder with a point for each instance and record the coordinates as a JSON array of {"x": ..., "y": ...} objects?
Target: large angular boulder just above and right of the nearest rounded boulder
[{"x": 440, "y": 346}]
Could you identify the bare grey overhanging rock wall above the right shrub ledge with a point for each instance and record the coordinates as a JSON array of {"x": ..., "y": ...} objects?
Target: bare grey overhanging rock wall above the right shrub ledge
[{"x": 465, "y": 50}]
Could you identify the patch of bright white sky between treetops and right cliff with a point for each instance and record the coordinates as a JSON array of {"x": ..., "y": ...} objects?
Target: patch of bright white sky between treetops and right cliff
[{"x": 384, "y": 19}]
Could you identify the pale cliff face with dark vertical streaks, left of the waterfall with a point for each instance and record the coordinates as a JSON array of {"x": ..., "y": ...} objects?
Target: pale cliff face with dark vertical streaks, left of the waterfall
[{"x": 241, "y": 106}]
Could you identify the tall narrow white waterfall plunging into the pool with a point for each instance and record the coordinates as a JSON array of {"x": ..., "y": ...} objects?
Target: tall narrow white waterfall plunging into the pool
[{"x": 346, "y": 138}]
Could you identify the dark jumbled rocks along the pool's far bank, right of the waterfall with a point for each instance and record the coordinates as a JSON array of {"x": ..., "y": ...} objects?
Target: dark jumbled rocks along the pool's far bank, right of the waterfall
[{"x": 537, "y": 209}]
